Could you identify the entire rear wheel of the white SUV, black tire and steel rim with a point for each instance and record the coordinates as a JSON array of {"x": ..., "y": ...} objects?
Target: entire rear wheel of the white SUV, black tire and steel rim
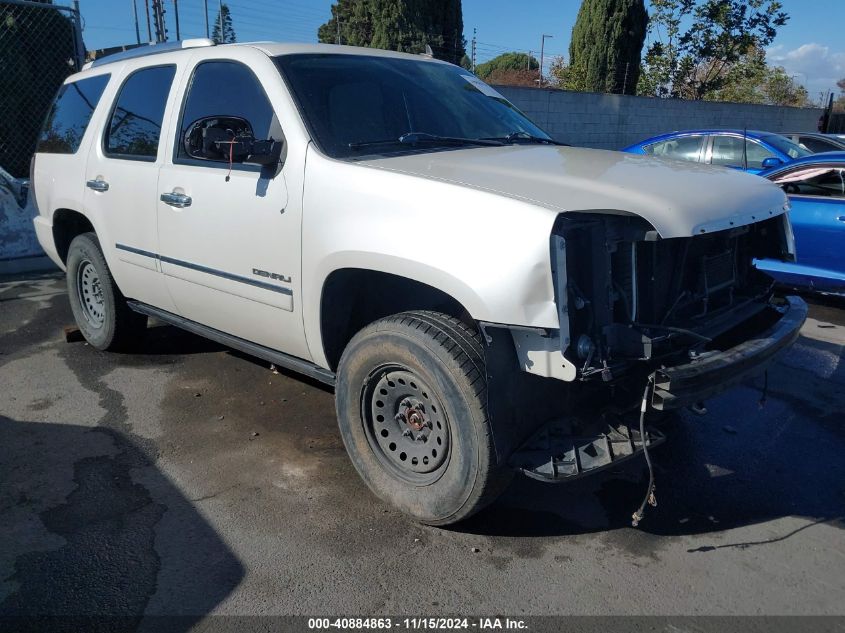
[{"x": 99, "y": 308}]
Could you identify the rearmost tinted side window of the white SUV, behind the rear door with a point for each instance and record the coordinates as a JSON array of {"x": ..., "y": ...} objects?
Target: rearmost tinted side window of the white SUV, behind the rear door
[{"x": 69, "y": 116}]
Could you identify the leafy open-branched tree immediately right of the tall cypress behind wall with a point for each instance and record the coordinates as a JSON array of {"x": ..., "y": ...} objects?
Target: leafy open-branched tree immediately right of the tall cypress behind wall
[{"x": 697, "y": 62}]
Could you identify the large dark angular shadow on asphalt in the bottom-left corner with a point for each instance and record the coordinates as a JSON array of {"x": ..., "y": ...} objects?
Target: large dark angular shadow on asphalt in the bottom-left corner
[{"x": 86, "y": 515}]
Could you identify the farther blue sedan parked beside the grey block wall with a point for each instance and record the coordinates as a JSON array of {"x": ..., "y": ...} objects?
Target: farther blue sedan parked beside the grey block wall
[{"x": 763, "y": 150}]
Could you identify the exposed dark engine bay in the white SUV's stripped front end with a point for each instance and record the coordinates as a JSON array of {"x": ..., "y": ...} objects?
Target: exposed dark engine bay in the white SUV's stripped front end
[{"x": 630, "y": 298}]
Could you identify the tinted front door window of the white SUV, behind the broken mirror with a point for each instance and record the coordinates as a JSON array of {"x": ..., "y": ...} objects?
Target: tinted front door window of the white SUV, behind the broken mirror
[{"x": 227, "y": 89}]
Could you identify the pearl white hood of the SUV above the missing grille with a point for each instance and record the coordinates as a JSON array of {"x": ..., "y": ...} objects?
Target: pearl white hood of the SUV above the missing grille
[{"x": 677, "y": 198}]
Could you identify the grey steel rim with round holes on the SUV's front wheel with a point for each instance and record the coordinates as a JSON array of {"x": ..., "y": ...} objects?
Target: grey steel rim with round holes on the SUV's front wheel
[{"x": 406, "y": 425}]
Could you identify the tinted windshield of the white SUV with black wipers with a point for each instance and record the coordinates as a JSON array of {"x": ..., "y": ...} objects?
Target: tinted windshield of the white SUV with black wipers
[{"x": 357, "y": 105}]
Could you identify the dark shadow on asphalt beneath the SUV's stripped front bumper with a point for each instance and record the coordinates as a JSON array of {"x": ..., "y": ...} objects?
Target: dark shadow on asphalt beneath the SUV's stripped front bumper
[{"x": 738, "y": 465}]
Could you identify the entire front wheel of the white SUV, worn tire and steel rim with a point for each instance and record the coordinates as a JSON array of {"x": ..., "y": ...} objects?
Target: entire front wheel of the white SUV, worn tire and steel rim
[{"x": 443, "y": 398}]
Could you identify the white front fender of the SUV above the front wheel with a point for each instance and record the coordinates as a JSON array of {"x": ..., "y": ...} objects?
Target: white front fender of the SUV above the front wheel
[{"x": 489, "y": 253}]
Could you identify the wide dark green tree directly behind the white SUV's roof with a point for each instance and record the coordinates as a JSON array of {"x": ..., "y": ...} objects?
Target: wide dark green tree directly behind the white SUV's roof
[{"x": 399, "y": 25}]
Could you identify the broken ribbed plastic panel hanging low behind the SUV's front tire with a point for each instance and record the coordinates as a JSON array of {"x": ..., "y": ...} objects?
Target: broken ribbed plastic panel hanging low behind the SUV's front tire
[{"x": 557, "y": 452}]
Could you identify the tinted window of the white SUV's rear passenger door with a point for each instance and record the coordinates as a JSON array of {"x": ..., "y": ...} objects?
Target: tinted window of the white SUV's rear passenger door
[{"x": 134, "y": 129}]
